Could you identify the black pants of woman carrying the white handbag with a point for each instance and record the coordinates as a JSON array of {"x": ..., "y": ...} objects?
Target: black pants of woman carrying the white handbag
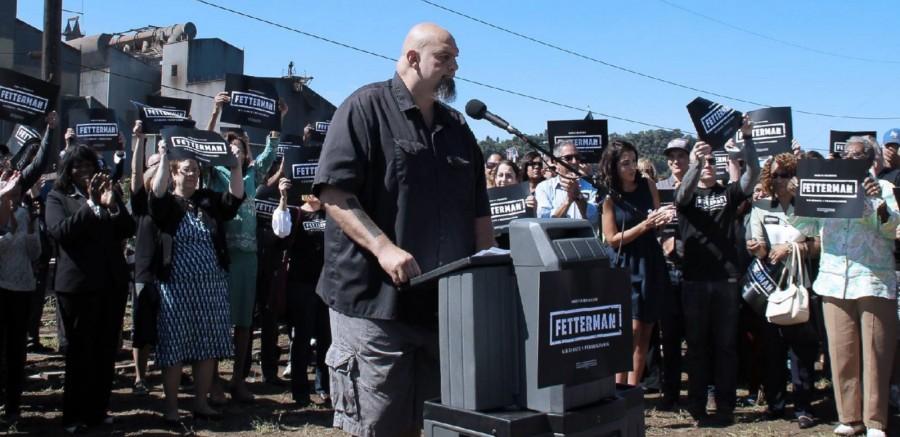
[{"x": 802, "y": 343}]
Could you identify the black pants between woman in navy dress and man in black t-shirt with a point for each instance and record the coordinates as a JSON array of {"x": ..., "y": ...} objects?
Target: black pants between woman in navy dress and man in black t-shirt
[{"x": 671, "y": 326}]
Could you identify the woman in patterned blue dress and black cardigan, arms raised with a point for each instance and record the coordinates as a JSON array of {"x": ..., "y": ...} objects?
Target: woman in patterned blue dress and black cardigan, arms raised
[{"x": 194, "y": 321}]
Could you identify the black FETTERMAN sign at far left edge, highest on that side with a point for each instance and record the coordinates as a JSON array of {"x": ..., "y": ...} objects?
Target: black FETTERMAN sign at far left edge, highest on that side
[{"x": 24, "y": 99}]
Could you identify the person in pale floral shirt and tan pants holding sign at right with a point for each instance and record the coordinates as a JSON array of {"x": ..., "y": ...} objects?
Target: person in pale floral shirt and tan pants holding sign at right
[{"x": 857, "y": 283}]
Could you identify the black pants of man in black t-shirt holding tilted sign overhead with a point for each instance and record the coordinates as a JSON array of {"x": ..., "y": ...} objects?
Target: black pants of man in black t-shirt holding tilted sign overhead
[{"x": 711, "y": 322}]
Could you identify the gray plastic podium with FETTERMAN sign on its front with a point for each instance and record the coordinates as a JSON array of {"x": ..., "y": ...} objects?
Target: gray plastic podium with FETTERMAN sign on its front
[{"x": 497, "y": 322}]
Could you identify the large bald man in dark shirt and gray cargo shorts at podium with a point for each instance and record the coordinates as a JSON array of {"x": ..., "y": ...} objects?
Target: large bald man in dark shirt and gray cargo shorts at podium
[{"x": 402, "y": 181}]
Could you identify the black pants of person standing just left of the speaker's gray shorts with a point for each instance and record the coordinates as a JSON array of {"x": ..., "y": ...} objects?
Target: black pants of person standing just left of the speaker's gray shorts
[{"x": 309, "y": 317}]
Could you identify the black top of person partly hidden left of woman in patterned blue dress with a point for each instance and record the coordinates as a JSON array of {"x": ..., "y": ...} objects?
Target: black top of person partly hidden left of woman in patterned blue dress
[{"x": 146, "y": 240}]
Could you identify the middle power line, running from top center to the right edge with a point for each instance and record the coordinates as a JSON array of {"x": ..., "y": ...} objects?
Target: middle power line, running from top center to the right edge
[{"x": 635, "y": 72}]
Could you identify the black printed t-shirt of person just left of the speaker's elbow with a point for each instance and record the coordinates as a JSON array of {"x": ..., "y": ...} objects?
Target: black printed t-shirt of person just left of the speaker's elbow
[{"x": 308, "y": 248}]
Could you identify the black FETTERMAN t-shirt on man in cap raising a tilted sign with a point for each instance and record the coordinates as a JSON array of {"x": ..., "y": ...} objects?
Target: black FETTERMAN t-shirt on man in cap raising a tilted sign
[{"x": 709, "y": 227}]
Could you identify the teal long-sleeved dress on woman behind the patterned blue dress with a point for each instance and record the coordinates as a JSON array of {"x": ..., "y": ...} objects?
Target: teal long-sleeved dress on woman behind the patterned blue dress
[{"x": 240, "y": 233}]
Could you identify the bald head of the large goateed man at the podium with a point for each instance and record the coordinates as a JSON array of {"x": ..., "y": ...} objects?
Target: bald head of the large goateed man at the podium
[{"x": 428, "y": 62}]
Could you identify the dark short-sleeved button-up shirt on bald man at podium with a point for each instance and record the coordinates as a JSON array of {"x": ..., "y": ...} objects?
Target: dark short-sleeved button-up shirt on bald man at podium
[{"x": 422, "y": 187}]
